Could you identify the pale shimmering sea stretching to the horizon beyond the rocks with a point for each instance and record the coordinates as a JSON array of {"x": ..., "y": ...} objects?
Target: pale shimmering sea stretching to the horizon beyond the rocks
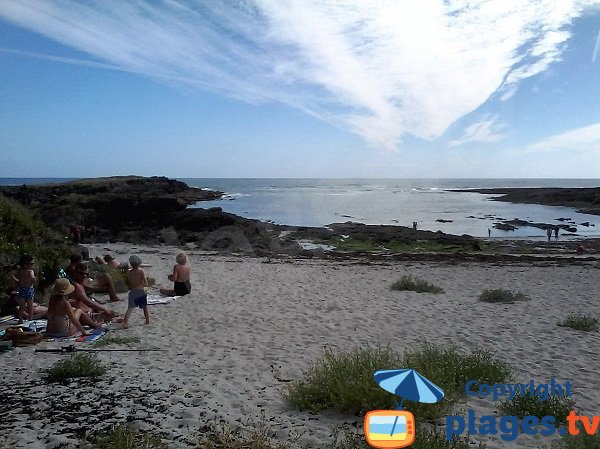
[{"x": 428, "y": 202}]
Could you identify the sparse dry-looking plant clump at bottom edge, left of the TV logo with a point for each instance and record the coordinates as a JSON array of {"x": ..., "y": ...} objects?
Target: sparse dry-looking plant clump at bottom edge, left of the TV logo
[{"x": 253, "y": 436}]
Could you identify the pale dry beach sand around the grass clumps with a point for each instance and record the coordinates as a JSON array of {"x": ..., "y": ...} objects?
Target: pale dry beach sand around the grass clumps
[{"x": 249, "y": 327}]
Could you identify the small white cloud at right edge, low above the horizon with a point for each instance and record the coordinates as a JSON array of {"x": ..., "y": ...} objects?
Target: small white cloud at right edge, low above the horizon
[{"x": 573, "y": 141}]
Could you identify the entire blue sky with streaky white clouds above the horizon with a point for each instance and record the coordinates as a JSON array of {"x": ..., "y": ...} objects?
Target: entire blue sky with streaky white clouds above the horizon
[{"x": 300, "y": 88}]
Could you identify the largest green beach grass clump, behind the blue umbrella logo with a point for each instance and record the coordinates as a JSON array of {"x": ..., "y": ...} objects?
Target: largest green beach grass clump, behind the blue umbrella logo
[{"x": 344, "y": 381}]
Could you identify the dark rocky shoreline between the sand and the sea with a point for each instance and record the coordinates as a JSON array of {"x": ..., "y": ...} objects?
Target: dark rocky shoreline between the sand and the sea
[{"x": 157, "y": 210}]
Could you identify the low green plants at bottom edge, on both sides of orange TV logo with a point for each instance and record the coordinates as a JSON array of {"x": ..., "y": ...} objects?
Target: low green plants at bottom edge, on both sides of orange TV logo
[{"x": 425, "y": 439}]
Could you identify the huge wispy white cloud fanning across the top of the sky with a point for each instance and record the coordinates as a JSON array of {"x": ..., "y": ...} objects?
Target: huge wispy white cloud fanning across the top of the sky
[{"x": 382, "y": 69}]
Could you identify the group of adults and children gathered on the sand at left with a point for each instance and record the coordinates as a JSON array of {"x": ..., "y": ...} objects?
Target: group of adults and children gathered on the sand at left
[{"x": 70, "y": 308}]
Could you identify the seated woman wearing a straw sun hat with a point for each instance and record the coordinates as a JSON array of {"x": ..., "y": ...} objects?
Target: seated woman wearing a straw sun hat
[{"x": 64, "y": 320}]
